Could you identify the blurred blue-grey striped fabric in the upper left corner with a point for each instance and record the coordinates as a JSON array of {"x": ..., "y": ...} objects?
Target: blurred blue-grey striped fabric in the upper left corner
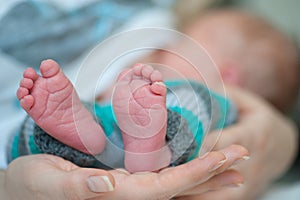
[{"x": 36, "y": 30}]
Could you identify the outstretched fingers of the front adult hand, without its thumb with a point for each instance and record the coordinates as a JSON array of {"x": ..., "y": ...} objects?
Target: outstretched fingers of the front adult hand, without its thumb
[{"x": 172, "y": 181}]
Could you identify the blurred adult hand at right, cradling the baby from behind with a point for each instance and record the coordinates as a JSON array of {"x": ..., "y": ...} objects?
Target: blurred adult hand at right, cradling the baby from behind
[{"x": 270, "y": 138}]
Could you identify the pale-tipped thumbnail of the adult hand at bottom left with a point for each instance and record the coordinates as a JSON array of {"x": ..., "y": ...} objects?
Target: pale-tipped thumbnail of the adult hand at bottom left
[{"x": 99, "y": 184}]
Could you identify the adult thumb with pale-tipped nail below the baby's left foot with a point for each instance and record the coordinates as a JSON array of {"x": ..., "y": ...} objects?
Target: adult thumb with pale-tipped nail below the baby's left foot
[{"x": 84, "y": 183}]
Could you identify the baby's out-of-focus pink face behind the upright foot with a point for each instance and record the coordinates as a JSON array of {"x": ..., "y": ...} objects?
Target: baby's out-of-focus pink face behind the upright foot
[{"x": 200, "y": 57}]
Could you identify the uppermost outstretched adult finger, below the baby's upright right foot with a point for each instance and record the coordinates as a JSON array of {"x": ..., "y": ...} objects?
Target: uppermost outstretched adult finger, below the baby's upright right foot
[{"x": 199, "y": 170}]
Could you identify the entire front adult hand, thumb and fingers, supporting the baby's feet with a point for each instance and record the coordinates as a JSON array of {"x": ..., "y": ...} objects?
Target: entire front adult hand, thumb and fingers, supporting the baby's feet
[{"x": 50, "y": 177}]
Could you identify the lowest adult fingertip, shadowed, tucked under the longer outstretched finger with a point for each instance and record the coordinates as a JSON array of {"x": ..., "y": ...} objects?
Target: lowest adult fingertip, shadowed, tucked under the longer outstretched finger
[{"x": 229, "y": 178}]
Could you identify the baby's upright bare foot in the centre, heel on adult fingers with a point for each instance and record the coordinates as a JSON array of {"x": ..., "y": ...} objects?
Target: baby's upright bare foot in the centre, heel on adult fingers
[{"x": 139, "y": 103}]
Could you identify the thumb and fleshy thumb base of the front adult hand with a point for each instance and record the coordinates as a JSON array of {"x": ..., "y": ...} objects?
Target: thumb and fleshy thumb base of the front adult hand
[{"x": 50, "y": 177}]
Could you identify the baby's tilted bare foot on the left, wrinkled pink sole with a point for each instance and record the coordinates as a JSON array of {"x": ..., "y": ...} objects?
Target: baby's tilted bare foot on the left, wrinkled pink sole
[{"x": 51, "y": 101}]
